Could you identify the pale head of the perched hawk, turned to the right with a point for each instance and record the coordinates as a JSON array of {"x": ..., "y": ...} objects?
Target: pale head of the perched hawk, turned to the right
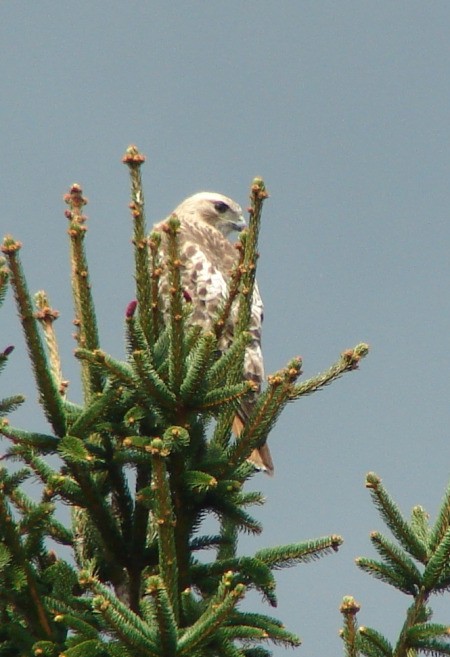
[{"x": 217, "y": 210}]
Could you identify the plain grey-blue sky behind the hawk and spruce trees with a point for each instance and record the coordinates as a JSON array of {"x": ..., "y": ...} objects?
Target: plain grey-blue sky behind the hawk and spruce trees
[{"x": 343, "y": 109}]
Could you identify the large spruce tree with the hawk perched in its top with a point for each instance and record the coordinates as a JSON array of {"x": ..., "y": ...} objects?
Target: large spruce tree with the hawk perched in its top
[{"x": 146, "y": 457}]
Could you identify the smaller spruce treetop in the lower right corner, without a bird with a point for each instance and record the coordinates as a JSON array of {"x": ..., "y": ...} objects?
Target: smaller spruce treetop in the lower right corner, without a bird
[{"x": 418, "y": 566}]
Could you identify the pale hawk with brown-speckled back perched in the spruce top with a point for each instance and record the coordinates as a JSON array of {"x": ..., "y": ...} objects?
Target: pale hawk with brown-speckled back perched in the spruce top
[{"x": 207, "y": 256}]
